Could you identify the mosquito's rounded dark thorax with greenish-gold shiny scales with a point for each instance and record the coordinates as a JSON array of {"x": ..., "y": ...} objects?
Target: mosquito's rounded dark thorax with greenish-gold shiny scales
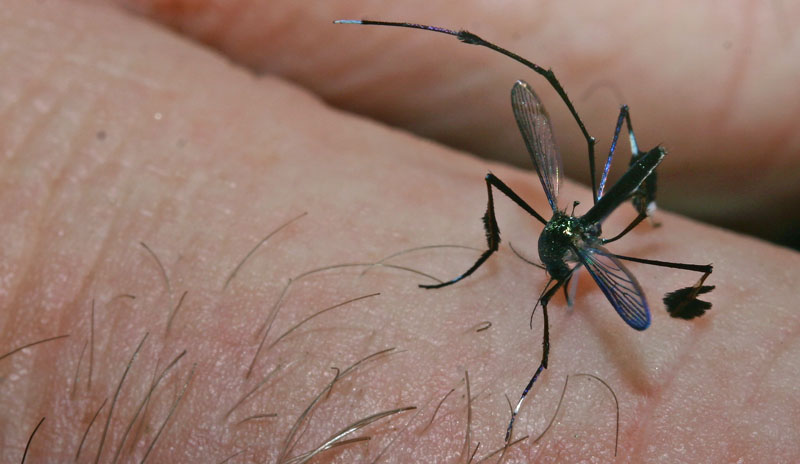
[{"x": 560, "y": 237}]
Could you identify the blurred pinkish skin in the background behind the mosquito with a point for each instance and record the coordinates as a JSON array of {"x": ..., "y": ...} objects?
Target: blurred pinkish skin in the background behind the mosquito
[{"x": 716, "y": 87}]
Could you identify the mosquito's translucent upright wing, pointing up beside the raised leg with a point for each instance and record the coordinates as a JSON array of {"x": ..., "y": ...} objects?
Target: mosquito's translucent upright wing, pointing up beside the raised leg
[{"x": 534, "y": 123}]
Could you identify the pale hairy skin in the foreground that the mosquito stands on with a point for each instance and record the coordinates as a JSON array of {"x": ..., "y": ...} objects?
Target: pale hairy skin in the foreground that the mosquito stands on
[{"x": 115, "y": 132}]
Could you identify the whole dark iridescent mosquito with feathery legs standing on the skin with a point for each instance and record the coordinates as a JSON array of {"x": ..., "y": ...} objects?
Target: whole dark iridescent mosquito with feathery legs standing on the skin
[{"x": 569, "y": 242}]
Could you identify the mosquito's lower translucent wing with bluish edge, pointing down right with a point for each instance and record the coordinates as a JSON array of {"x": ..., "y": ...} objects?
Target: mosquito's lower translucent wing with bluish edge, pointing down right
[{"x": 618, "y": 284}]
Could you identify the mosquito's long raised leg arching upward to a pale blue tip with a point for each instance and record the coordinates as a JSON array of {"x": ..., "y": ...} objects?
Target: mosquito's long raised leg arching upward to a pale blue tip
[{"x": 472, "y": 39}]
